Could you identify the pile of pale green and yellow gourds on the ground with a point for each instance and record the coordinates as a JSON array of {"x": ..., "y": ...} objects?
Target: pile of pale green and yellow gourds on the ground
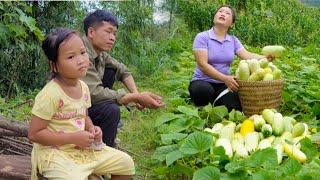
[{"x": 267, "y": 130}]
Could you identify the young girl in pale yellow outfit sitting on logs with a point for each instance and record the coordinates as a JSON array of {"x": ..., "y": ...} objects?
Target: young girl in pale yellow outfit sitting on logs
[{"x": 60, "y": 128}]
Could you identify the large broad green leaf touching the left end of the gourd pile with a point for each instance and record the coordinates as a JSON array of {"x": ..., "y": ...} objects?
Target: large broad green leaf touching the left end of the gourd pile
[{"x": 196, "y": 142}]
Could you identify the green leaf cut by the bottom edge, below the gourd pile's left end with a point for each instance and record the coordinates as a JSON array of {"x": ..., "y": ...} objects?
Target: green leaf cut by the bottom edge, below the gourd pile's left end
[{"x": 207, "y": 173}]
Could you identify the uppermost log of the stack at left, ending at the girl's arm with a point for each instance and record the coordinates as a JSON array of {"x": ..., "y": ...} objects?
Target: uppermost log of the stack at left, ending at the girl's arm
[{"x": 16, "y": 126}]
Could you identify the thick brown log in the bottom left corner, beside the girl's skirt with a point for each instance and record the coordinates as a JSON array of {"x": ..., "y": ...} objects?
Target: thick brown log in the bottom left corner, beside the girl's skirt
[{"x": 15, "y": 167}]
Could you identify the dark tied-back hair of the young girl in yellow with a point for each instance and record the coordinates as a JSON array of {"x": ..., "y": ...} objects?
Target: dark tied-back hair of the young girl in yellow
[{"x": 52, "y": 43}]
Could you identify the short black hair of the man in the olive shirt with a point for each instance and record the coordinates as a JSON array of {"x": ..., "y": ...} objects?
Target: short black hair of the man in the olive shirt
[{"x": 95, "y": 19}]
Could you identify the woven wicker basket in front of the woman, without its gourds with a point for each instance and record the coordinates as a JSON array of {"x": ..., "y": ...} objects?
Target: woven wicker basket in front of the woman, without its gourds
[{"x": 259, "y": 95}]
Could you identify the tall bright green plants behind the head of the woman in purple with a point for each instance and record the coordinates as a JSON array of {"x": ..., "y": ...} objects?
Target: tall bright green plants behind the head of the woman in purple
[{"x": 260, "y": 22}]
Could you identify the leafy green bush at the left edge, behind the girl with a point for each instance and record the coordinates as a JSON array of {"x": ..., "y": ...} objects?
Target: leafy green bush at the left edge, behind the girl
[{"x": 20, "y": 63}]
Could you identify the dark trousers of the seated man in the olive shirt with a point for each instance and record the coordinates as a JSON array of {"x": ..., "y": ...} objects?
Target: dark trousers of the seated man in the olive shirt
[{"x": 106, "y": 114}]
